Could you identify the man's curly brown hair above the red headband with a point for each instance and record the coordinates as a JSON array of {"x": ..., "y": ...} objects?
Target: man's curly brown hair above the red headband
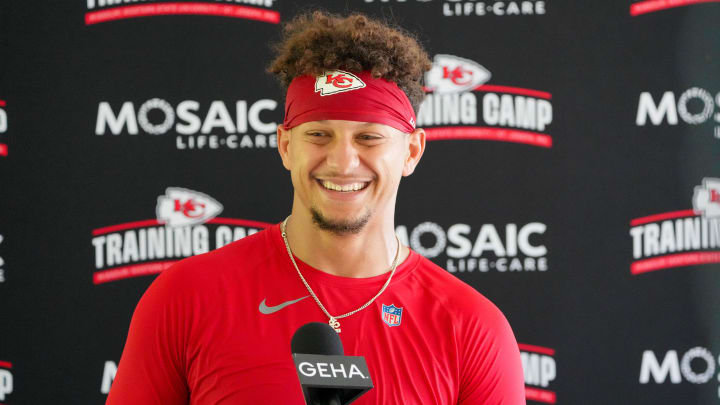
[{"x": 319, "y": 41}]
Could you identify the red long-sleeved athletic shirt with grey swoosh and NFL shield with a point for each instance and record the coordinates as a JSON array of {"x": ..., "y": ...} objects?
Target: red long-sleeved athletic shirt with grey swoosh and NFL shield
[{"x": 198, "y": 335}]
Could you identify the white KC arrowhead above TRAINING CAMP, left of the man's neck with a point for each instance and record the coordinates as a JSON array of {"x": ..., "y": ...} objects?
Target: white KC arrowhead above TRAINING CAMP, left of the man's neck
[{"x": 182, "y": 207}]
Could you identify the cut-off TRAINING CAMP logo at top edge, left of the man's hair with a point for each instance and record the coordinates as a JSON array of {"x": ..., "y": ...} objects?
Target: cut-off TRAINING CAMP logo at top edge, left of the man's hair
[{"x": 105, "y": 11}]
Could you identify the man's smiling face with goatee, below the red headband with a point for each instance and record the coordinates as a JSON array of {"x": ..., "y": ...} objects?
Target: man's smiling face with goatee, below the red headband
[{"x": 347, "y": 172}]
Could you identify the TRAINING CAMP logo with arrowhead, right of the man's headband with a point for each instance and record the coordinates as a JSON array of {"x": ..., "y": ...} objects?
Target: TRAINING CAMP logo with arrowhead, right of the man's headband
[{"x": 460, "y": 105}]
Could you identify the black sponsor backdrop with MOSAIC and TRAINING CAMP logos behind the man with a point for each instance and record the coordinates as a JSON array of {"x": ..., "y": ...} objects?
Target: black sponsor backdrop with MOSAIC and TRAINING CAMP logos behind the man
[{"x": 572, "y": 176}]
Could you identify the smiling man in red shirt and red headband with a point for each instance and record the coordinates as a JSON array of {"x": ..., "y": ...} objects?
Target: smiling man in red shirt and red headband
[{"x": 216, "y": 328}]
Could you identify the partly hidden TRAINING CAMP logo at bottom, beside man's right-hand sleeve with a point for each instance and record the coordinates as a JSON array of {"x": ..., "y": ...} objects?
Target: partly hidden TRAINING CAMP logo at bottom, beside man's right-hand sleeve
[{"x": 540, "y": 371}]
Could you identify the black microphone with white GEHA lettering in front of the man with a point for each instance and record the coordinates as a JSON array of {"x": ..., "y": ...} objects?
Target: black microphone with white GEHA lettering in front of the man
[{"x": 327, "y": 376}]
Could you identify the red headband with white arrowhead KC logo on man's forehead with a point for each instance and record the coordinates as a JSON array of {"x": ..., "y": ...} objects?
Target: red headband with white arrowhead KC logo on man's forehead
[{"x": 339, "y": 95}]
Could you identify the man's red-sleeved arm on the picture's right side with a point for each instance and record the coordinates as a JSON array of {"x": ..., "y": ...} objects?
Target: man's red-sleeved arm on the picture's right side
[{"x": 492, "y": 371}]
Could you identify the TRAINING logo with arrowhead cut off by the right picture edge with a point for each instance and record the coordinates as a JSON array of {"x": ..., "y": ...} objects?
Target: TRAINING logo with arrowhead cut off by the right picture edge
[{"x": 681, "y": 238}]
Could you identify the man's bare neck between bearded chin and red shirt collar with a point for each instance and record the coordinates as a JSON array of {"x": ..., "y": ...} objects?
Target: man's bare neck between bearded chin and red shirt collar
[{"x": 367, "y": 253}]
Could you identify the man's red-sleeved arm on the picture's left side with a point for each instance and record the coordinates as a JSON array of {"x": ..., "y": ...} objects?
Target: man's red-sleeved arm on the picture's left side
[{"x": 151, "y": 369}]
